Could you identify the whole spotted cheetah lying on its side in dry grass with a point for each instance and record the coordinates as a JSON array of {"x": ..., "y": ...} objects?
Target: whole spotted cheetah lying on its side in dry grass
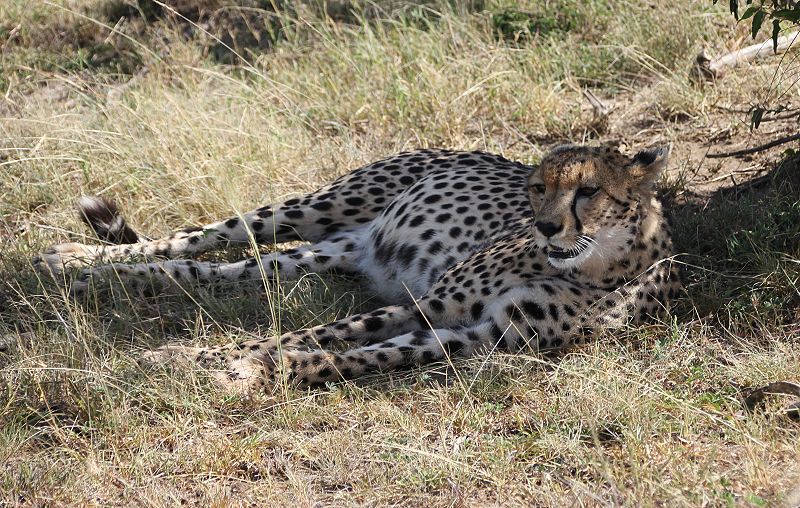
[{"x": 472, "y": 252}]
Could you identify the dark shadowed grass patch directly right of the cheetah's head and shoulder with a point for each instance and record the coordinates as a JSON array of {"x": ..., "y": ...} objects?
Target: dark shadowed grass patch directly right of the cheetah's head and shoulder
[{"x": 741, "y": 246}]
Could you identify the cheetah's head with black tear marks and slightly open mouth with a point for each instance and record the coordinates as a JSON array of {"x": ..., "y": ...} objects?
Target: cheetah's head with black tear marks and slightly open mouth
[{"x": 592, "y": 202}]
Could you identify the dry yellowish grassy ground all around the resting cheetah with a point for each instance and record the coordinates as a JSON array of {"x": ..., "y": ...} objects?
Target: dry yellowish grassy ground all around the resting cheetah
[{"x": 186, "y": 118}]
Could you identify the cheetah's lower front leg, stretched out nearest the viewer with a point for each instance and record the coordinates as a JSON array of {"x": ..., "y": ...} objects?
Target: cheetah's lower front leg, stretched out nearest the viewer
[{"x": 540, "y": 315}]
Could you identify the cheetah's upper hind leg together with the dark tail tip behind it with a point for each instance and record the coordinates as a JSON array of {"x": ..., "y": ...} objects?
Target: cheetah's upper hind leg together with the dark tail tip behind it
[{"x": 343, "y": 205}]
